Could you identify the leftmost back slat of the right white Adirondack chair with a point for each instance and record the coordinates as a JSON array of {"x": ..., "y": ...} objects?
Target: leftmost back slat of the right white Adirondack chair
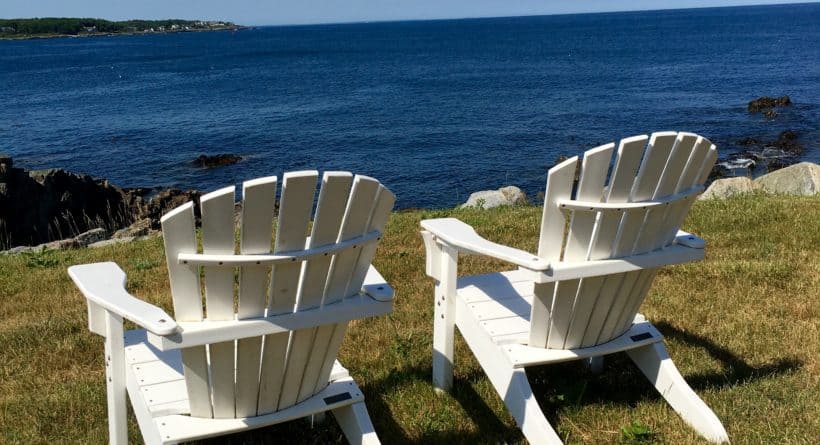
[{"x": 550, "y": 244}]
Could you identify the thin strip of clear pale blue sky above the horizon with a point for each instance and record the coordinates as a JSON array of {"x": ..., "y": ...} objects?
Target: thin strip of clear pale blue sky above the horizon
[{"x": 276, "y": 12}]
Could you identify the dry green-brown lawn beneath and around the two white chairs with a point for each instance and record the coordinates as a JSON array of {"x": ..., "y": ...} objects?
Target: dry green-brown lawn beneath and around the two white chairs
[{"x": 743, "y": 327}]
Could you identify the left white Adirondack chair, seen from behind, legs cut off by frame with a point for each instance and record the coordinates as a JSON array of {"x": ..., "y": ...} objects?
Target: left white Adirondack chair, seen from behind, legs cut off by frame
[{"x": 270, "y": 355}]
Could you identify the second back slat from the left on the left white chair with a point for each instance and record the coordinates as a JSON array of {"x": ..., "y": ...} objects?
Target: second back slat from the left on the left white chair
[{"x": 218, "y": 238}]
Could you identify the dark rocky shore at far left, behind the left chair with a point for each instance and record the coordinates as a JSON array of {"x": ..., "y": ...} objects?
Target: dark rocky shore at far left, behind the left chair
[{"x": 57, "y": 209}]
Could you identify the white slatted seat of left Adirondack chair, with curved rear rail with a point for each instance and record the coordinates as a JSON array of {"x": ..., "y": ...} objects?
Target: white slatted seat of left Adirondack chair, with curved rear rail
[{"x": 156, "y": 386}]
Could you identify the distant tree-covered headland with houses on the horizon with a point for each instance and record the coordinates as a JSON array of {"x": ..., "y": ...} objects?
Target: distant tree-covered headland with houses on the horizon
[{"x": 77, "y": 26}]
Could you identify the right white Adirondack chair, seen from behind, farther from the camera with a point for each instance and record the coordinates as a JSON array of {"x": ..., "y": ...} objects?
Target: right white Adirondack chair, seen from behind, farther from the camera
[{"x": 579, "y": 297}]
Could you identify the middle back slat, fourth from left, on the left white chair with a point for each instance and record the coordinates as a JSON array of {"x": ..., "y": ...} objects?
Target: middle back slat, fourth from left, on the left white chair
[{"x": 295, "y": 205}]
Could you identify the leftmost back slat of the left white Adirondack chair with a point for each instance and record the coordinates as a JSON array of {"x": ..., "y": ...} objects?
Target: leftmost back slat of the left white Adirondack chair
[{"x": 179, "y": 235}]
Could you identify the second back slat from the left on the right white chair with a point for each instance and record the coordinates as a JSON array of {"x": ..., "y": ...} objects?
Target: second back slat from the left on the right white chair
[{"x": 566, "y": 308}]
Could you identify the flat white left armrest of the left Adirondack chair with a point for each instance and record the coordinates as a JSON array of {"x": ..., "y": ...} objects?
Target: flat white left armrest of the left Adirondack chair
[{"x": 104, "y": 285}]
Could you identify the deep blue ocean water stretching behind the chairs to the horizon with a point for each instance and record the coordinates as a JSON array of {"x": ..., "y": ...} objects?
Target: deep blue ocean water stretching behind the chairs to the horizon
[{"x": 434, "y": 109}]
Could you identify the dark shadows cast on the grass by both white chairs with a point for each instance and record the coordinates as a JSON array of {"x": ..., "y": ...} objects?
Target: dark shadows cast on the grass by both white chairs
[{"x": 558, "y": 388}]
